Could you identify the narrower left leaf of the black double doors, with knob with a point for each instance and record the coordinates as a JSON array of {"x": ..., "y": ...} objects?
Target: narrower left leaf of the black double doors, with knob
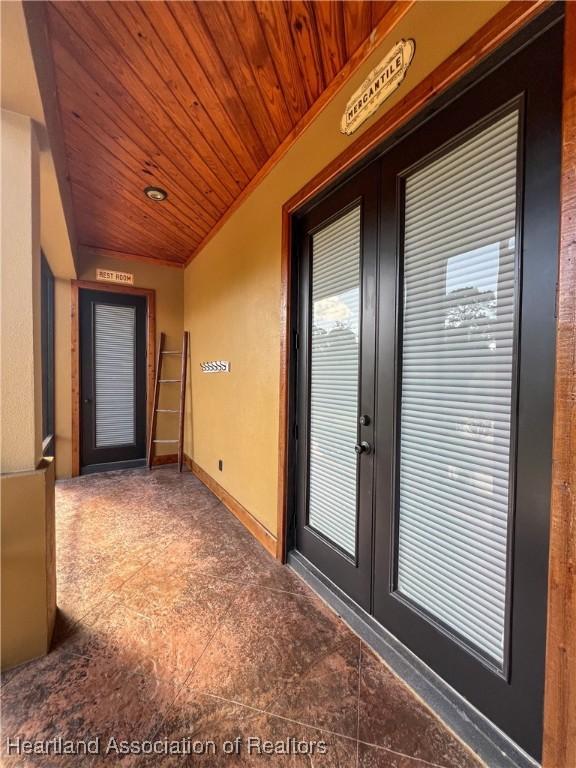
[{"x": 337, "y": 278}]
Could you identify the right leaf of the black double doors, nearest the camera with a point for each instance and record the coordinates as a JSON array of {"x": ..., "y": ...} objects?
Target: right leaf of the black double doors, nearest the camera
[{"x": 469, "y": 246}]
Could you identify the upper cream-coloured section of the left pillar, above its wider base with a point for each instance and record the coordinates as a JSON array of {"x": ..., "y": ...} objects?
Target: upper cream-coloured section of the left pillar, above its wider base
[{"x": 21, "y": 437}]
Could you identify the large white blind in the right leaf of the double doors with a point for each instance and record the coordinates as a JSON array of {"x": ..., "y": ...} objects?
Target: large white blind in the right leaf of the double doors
[{"x": 458, "y": 331}]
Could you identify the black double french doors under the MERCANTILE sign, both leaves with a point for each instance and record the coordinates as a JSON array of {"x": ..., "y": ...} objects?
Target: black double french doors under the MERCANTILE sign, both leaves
[{"x": 425, "y": 386}]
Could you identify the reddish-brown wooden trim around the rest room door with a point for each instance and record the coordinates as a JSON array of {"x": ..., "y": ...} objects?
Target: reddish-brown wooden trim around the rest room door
[{"x": 150, "y": 295}]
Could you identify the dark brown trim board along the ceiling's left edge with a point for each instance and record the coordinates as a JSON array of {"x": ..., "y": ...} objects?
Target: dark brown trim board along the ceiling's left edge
[{"x": 37, "y": 26}]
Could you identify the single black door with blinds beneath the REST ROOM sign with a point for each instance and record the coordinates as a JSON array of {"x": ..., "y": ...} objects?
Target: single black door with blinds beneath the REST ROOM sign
[{"x": 113, "y": 380}]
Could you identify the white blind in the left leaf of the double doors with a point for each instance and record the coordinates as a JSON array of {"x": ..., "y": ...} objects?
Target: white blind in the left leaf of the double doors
[{"x": 334, "y": 380}]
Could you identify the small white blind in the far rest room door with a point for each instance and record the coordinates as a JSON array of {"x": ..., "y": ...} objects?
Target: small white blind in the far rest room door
[{"x": 114, "y": 363}]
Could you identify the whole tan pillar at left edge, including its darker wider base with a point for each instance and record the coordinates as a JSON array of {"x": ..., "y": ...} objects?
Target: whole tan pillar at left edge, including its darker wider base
[{"x": 28, "y": 587}]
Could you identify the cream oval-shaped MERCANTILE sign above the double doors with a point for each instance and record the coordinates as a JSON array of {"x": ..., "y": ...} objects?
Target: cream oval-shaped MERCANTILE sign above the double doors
[{"x": 378, "y": 86}]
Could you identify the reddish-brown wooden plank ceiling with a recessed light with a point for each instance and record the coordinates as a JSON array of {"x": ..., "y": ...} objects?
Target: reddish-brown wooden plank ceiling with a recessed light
[{"x": 194, "y": 97}]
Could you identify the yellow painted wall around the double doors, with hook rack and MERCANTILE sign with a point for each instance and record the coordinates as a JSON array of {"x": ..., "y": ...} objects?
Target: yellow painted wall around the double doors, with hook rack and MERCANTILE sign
[{"x": 232, "y": 288}]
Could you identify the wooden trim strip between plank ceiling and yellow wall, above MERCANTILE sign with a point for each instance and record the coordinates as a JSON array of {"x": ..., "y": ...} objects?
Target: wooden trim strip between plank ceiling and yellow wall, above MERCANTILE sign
[{"x": 380, "y": 31}]
